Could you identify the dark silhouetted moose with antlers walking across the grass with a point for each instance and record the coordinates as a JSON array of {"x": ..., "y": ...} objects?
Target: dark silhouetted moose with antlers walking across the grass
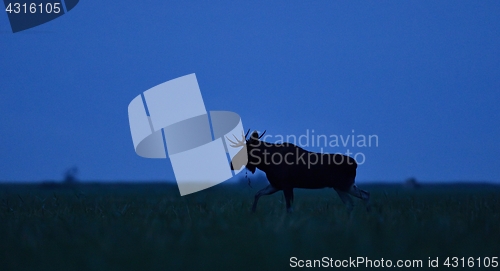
[{"x": 288, "y": 166}]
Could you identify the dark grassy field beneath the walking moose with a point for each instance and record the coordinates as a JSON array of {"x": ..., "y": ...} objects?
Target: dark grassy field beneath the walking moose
[{"x": 151, "y": 227}]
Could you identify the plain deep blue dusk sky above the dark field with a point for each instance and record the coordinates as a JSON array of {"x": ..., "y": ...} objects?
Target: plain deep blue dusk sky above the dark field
[{"x": 424, "y": 76}]
